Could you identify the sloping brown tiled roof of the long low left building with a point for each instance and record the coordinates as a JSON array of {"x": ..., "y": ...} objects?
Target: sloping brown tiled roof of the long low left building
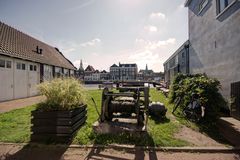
[{"x": 20, "y": 45}]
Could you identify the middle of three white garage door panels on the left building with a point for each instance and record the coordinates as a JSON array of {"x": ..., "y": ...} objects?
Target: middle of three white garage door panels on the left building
[{"x": 20, "y": 79}]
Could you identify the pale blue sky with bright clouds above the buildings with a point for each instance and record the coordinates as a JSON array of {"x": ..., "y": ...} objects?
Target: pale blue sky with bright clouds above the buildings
[{"x": 103, "y": 32}]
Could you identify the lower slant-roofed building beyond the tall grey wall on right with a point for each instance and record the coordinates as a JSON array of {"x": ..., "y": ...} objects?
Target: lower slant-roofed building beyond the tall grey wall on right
[{"x": 178, "y": 62}]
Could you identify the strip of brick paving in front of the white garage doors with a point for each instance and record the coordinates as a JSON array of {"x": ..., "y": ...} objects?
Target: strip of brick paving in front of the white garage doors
[{"x": 19, "y": 103}]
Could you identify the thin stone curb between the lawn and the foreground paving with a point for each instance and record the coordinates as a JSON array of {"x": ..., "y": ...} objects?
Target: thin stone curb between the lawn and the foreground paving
[{"x": 210, "y": 149}]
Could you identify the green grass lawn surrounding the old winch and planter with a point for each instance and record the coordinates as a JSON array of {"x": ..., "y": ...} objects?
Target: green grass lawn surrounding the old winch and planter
[{"x": 15, "y": 126}]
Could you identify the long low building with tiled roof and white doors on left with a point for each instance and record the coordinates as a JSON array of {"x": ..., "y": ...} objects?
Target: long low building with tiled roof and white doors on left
[{"x": 25, "y": 62}]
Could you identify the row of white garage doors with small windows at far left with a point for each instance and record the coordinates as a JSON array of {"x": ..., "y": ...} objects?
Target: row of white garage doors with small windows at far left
[{"x": 18, "y": 78}]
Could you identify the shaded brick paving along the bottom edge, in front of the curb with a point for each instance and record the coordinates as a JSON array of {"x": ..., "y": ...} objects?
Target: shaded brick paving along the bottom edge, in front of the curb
[{"x": 18, "y": 152}]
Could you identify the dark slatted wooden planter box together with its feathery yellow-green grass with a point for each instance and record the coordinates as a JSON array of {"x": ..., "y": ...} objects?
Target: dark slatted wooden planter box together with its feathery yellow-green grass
[{"x": 62, "y": 113}]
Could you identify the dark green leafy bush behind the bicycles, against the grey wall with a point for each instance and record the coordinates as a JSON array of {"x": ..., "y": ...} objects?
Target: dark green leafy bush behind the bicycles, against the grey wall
[{"x": 207, "y": 89}]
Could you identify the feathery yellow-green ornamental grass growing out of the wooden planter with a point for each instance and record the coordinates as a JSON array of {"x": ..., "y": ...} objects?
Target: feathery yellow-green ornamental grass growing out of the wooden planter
[{"x": 62, "y": 94}]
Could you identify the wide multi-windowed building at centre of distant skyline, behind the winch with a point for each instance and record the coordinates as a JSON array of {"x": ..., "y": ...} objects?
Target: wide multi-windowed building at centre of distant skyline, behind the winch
[{"x": 124, "y": 72}]
